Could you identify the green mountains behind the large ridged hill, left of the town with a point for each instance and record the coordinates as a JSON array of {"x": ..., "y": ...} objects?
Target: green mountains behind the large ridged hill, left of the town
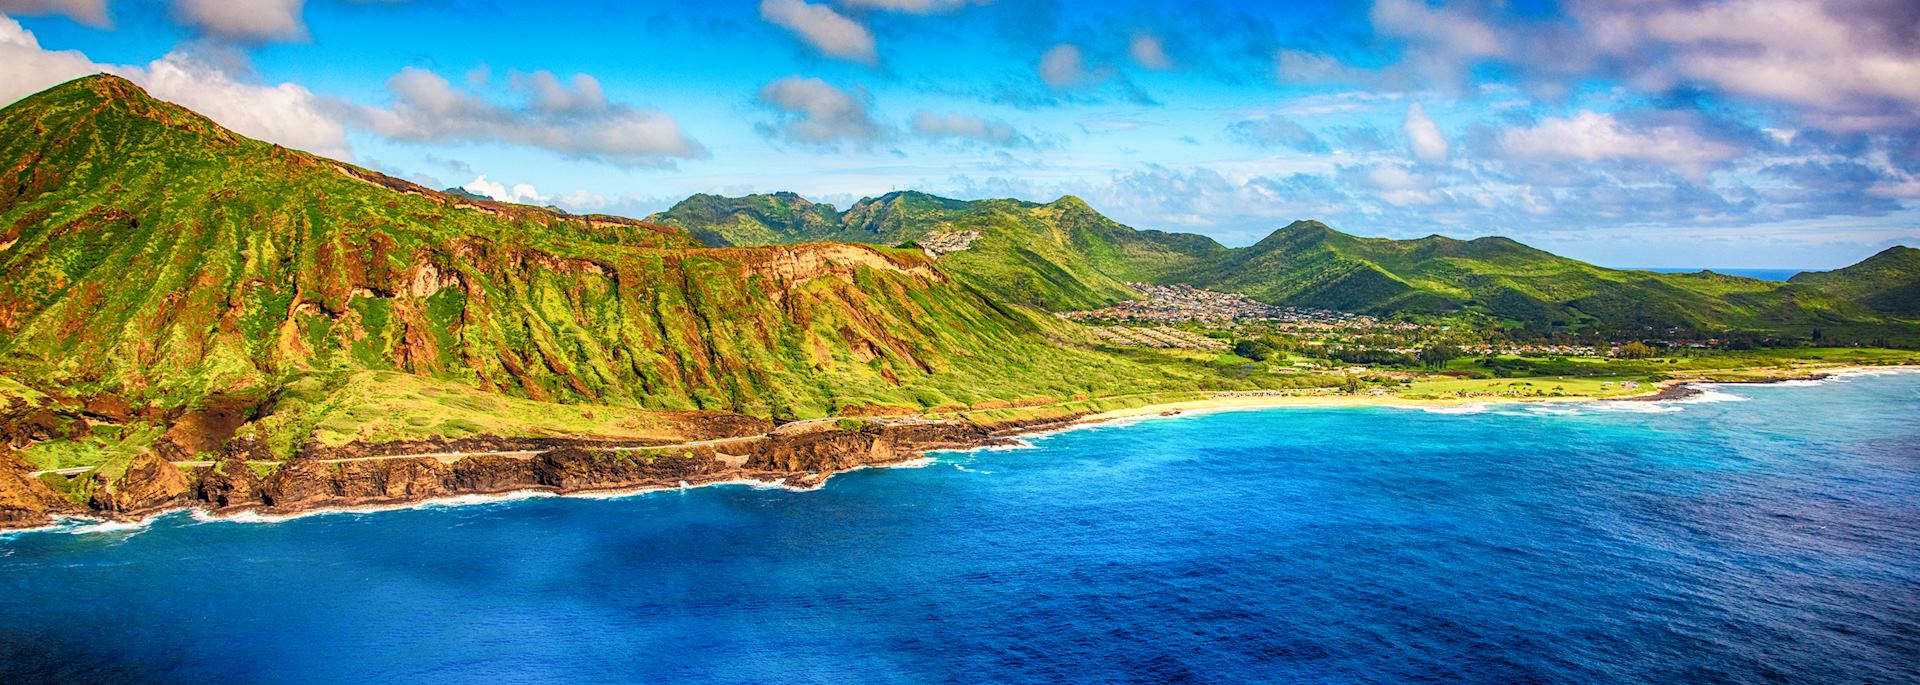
[{"x": 1055, "y": 256}]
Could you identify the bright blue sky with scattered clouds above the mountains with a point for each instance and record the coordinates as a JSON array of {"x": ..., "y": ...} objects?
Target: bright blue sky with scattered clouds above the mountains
[{"x": 1760, "y": 133}]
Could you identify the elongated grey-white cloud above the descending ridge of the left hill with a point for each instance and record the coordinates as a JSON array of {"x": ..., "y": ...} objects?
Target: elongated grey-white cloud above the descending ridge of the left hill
[{"x": 575, "y": 122}]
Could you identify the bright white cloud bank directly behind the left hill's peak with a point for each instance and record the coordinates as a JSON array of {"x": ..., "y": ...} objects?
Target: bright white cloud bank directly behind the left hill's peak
[{"x": 285, "y": 114}]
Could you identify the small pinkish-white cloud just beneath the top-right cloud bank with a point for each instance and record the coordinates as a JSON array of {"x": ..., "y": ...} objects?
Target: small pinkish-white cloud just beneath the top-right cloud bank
[{"x": 1596, "y": 137}]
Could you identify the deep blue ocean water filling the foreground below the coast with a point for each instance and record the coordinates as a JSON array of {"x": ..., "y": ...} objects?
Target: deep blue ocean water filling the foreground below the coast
[{"x": 1769, "y": 534}]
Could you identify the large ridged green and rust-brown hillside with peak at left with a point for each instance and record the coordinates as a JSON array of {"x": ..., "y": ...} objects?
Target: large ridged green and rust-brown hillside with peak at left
[{"x": 151, "y": 254}]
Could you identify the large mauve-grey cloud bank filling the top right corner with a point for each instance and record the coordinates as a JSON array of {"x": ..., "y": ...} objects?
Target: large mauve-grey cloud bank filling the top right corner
[{"x": 1846, "y": 66}]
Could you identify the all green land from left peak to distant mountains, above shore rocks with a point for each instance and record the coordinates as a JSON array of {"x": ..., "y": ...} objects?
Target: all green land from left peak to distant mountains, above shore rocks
[{"x": 160, "y": 262}]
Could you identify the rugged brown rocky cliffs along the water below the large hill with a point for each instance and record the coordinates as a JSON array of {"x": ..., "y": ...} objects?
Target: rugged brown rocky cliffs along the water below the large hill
[{"x": 372, "y": 477}]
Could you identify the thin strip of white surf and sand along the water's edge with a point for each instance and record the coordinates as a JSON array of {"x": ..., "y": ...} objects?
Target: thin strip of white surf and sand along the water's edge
[{"x": 1673, "y": 390}]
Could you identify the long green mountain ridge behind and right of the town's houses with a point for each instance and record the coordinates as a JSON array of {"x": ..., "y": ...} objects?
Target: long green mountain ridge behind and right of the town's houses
[{"x": 1314, "y": 266}]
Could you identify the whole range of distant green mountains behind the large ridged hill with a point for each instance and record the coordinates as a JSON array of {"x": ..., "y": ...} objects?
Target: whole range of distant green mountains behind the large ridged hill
[{"x": 1068, "y": 256}]
